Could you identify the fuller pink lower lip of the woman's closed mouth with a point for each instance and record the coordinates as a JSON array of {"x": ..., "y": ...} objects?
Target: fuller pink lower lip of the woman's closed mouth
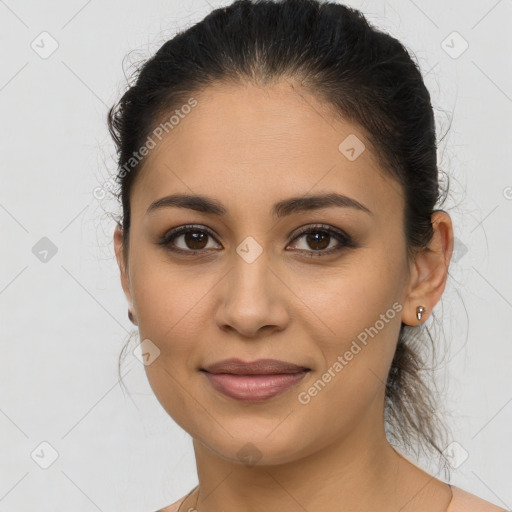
[{"x": 253, "y": 388}]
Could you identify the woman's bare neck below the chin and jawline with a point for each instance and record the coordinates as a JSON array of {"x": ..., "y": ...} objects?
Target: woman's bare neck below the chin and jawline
[{"x": 359, "y": 472}]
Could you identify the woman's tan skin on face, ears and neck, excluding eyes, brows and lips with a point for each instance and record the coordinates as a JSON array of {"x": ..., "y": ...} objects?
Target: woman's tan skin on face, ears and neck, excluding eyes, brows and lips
[{"x": 249, "y": 147}]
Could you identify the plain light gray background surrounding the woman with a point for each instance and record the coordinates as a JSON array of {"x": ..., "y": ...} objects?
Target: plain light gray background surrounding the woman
[{"x": 63, "y": 322}]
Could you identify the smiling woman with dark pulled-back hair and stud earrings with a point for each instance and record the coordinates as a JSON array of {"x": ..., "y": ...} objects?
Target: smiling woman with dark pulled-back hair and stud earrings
[{"x": 280, "y": 247}]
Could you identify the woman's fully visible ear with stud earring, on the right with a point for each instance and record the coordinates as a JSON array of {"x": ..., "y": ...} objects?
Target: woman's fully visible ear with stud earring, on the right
[{"x": 429, "y": 271}]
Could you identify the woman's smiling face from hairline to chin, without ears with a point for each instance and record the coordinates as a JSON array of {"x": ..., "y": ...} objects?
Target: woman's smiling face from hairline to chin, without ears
[{"x": 255, "y": 287}]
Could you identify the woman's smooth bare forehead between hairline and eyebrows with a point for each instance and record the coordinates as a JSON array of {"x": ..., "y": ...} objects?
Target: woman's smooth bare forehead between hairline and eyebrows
[{"x": 249, "y": 144}]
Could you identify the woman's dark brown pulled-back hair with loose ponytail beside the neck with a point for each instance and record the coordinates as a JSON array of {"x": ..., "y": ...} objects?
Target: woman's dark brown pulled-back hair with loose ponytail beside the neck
[{"x": 365, "y": 76}]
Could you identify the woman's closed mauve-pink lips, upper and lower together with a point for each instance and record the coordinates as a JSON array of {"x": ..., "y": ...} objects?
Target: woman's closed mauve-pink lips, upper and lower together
[{"x": 254, "y": 381}]
